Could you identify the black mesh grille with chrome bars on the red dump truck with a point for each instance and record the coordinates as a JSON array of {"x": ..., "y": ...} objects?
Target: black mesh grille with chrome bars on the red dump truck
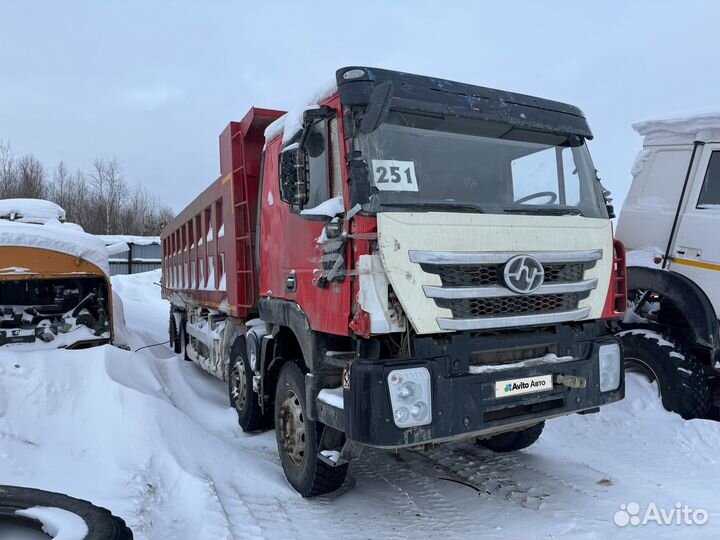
[{"x": 471, "y": 288}]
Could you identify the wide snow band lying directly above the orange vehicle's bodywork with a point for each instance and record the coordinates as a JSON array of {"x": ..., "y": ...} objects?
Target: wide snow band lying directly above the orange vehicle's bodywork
[{"x": 55, "y": 236}]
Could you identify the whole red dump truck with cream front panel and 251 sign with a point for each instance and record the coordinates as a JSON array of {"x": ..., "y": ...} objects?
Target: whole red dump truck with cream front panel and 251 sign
[{"x": 398, "y": 262}]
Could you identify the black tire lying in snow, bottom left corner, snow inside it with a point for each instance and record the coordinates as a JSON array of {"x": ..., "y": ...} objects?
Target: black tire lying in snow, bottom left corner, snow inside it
[{"x": 57, "y": 515}]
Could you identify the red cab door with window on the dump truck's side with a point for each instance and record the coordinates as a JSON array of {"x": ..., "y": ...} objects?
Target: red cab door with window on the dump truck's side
[{"x": 328, "y": 306}]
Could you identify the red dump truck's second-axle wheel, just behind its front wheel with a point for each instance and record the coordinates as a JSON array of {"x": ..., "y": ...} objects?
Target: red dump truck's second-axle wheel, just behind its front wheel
[{"x": 240, "y": 391}]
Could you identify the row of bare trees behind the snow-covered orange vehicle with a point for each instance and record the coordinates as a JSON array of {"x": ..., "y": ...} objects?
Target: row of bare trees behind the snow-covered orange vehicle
[{"x": 100, "y": 200}]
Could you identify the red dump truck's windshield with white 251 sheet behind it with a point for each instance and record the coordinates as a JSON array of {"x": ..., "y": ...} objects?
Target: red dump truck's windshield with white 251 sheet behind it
[{"x": 418, "y": 162}]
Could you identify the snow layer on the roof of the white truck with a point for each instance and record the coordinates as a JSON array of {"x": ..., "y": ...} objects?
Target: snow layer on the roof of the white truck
[{"x": 681, "y": 128}]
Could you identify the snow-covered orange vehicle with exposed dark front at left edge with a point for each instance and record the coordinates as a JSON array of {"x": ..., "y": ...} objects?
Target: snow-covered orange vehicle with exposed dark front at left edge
[{"x": 55, "y": 288}]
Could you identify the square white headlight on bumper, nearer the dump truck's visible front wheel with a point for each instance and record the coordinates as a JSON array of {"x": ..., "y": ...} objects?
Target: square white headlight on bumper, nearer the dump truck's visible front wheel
[{"x": 410, "y": 397}]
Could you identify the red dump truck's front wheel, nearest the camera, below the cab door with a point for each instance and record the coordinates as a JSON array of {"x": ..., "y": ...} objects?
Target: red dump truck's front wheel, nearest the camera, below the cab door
[{"x": 298, "y": 438}]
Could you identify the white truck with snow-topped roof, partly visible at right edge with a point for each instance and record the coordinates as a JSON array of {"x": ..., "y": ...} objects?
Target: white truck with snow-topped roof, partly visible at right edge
[{"x": 669, "y": 223}]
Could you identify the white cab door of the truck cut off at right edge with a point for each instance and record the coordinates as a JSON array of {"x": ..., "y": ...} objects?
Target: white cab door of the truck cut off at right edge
[{"x": 696, "y": 248}]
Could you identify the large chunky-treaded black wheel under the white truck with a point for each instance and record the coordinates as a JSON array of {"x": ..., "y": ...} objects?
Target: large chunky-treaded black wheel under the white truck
[{"x": 683, "y": 384}]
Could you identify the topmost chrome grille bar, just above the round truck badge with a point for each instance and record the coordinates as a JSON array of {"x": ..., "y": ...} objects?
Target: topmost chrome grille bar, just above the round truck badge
[{"x": 479, "y": 257}]
